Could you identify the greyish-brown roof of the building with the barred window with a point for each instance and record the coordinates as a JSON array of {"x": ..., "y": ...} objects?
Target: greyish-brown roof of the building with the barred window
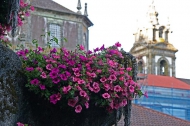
[{"x": 50, "y": 5}]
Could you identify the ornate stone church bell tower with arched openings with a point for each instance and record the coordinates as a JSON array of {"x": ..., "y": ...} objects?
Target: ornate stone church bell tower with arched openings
[{"x": 155, "y": 54}]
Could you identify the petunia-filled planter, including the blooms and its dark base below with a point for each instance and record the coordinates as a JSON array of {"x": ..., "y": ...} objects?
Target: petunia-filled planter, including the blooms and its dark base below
[{"x": 80, "y": 87}]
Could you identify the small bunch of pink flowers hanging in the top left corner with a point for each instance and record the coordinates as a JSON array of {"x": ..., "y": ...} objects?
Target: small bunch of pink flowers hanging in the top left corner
[{"x": 25, "y": 10}]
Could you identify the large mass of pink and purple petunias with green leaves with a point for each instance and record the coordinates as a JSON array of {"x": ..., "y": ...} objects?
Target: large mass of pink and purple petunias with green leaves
[{"x": 81, "y": 78}]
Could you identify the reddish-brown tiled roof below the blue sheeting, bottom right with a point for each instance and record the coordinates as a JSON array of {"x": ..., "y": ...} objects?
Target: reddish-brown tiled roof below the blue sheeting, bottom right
[{"x": 141, "y": 116}]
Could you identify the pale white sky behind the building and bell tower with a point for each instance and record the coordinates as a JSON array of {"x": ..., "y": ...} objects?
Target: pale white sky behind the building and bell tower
[{"x": 116, "y": 21}]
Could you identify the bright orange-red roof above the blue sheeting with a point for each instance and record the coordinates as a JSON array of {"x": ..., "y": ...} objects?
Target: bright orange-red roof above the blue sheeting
[{"x": 166, "y": 81}]
